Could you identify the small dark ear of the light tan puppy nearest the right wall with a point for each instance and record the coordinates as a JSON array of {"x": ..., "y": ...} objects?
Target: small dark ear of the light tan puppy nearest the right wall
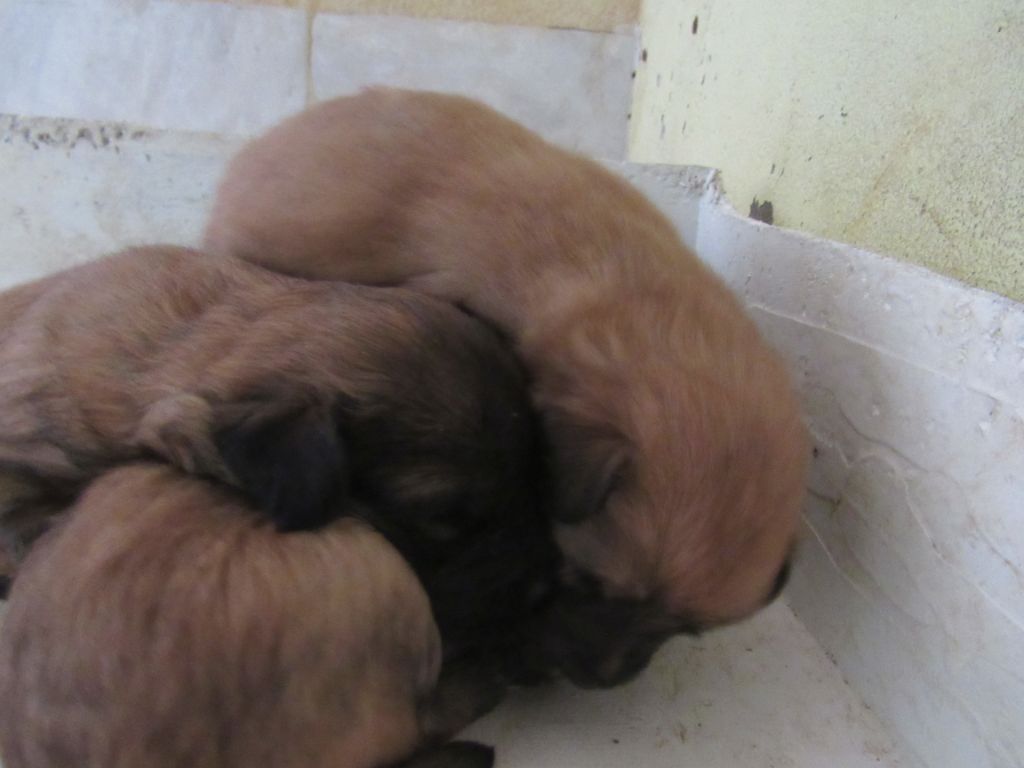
[{"x": 587, "y": 466}]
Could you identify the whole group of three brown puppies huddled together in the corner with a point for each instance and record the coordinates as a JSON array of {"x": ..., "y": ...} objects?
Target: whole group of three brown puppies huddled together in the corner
[{"x": 258, "y": 513}]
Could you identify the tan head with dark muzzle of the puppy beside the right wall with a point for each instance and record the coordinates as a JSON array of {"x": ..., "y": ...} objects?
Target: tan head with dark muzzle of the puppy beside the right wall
[{"x": 688, "y": 496}]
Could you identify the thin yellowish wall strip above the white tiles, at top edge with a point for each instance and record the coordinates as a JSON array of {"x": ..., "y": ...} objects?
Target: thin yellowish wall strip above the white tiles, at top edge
[{"x": 602, "y": 16}]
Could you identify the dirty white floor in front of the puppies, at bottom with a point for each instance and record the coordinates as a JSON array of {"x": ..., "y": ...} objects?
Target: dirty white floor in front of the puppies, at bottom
[{"x": 758, "y": 696}]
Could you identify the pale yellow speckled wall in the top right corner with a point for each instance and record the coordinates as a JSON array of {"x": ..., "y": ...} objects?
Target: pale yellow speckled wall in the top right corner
[{"x": 897, "y": 126}]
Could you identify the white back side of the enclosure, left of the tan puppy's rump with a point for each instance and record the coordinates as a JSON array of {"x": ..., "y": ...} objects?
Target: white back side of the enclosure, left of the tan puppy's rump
[{"x": 76, "y": 190}]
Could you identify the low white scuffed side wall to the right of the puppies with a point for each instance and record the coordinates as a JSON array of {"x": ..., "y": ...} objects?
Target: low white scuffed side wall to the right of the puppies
[{"x": 912, "y": 575}]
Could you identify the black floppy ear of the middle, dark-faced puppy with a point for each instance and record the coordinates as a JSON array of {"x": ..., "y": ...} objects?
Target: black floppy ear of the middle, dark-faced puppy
[{"x": 289, "y": 459}]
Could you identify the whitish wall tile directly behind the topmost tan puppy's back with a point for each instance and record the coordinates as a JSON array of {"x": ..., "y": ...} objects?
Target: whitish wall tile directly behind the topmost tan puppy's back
[{"x": 574, "y": 88}]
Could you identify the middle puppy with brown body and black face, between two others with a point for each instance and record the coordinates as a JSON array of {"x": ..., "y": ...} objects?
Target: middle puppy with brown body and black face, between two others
[{"x": 303, "y": 395}]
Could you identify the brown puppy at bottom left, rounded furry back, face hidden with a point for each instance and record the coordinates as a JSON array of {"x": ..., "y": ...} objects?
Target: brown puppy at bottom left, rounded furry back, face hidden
[{"x": 164, "y": 623}]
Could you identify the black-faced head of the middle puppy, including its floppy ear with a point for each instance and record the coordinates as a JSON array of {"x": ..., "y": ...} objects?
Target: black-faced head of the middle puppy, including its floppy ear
[{"x": 423, "y": 420}]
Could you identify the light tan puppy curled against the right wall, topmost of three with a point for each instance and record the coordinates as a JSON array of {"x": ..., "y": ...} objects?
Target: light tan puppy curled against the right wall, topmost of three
[{"x": 679, "y": 453}]
